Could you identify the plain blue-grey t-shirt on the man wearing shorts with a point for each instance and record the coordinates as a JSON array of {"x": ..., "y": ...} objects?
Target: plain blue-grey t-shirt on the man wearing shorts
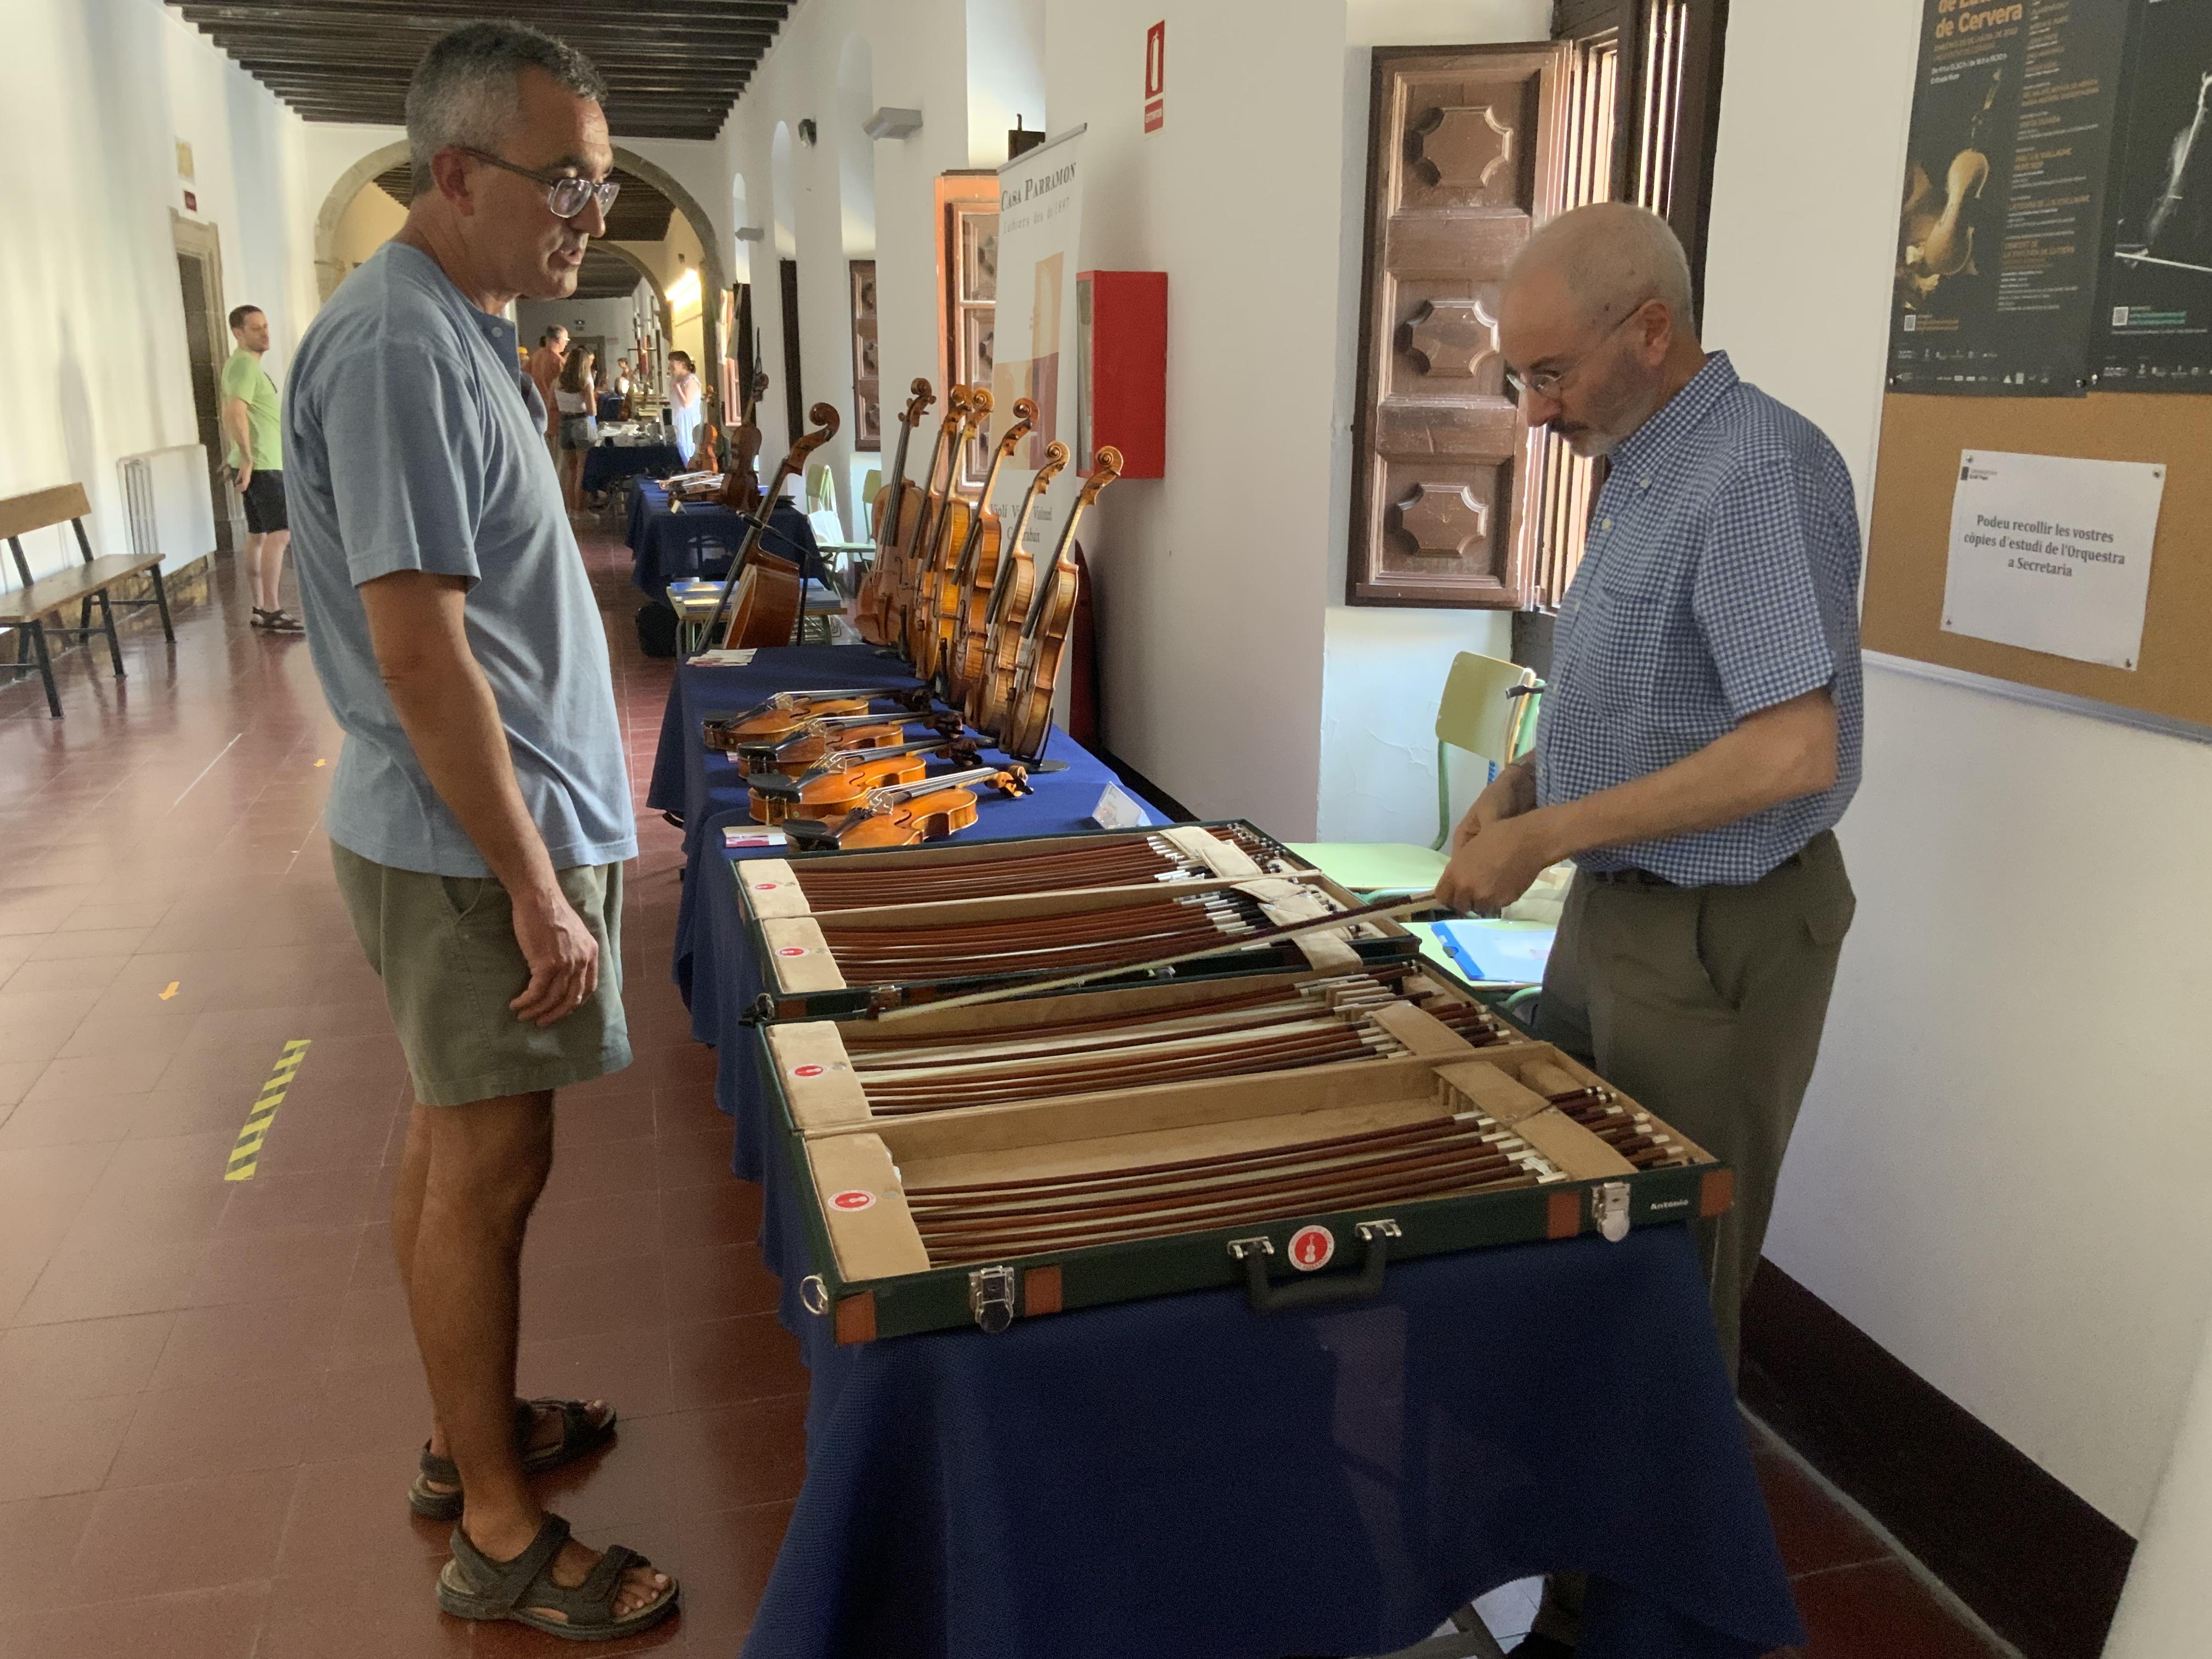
[{"x": 417, "y": 444}]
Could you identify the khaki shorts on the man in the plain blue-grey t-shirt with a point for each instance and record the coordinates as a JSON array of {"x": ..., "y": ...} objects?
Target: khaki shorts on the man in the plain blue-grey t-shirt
[{"x": 446, "y": 948}]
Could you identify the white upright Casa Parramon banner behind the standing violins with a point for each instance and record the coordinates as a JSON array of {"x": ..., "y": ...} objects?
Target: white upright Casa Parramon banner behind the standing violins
[{"x": 1041, "y": 213}]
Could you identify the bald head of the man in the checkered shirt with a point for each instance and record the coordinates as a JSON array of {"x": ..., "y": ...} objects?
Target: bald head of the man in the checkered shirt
[{"x": 1596, "y": 324}]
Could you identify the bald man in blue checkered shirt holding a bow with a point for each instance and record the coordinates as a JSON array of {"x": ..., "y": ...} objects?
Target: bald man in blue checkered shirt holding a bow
[{"x": 1702, "y": 727}]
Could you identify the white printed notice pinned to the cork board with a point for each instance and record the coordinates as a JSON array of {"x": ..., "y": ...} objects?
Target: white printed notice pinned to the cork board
[{"x": 2054, "y": 554}]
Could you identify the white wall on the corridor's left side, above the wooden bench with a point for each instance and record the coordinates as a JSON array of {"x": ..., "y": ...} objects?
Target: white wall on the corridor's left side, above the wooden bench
[{"x": 94, "y": 96}]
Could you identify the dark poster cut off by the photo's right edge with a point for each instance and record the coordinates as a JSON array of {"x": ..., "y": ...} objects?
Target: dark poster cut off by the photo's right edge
[{"x": 2158, "y": 282}]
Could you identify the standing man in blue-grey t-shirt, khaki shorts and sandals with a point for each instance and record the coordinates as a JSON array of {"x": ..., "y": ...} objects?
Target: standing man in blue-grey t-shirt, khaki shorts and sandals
[{"x": 481, "y": 813}]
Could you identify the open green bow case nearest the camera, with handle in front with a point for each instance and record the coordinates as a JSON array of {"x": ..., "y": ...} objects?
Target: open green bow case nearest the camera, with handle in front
[{"x": 1291, "y": 1134}]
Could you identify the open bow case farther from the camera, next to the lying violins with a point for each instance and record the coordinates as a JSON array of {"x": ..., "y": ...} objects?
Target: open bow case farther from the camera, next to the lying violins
[{"x": 842, "y": 935}]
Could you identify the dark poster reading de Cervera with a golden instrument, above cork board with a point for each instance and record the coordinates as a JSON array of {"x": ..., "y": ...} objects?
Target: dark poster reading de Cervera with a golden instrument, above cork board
[{"x": 2003, "y": 205}]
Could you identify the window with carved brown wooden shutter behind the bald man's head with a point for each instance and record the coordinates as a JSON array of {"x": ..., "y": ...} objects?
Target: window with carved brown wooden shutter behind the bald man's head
[{"x": 1454, "y": 501}]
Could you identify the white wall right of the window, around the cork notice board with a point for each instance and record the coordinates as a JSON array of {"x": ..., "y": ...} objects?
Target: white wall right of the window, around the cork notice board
[{"x": 1999, "y": 1169}]
